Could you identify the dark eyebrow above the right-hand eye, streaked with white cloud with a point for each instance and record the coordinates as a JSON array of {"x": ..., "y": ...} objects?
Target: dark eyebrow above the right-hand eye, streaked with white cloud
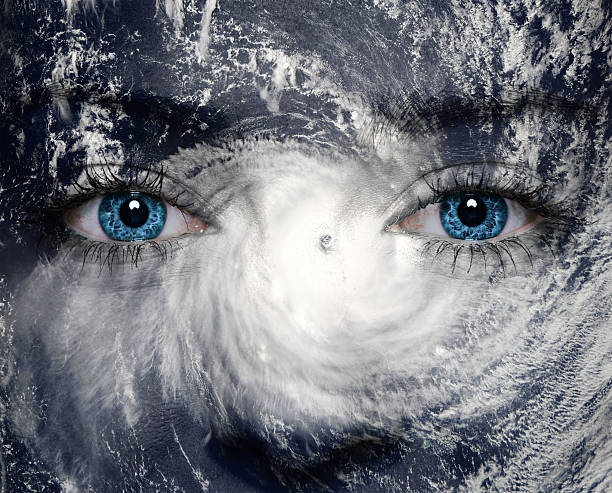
[{"x": 412, "y": 115}]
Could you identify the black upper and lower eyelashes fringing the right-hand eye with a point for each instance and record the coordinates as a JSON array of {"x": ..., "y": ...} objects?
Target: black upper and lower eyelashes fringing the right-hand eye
[{"x": 513, "y": 188}]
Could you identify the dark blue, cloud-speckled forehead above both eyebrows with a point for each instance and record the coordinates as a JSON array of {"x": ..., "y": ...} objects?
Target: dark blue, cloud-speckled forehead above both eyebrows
[{"x": 212, "y": 49}]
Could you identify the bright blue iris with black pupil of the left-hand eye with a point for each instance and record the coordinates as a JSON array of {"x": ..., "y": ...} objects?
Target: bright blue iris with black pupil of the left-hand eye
[{"x": 132, "y": 216}]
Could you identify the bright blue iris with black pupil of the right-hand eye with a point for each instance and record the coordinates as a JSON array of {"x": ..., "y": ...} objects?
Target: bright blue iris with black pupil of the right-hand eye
[{"x": 473, "y": 216}]
